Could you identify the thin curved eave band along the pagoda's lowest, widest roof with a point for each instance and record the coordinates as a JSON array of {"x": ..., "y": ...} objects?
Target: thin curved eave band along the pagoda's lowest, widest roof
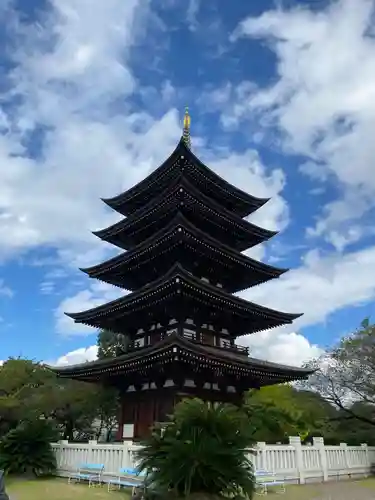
[{"x": 115, "y": 364}]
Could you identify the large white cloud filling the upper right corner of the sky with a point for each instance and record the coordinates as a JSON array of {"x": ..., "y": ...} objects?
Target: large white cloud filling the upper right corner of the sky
[{"x": 323, "y": 101}]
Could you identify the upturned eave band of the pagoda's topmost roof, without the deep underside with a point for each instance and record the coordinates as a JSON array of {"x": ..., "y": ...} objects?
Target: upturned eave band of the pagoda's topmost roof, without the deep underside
[{"x": 119, "y": 201}]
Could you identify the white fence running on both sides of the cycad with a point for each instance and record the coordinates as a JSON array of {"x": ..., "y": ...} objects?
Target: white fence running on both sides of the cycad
[{"x": 293, "y": 462}]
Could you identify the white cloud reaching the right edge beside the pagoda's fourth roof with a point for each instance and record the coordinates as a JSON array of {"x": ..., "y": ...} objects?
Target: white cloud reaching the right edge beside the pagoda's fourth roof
[{"x": 321, "y": 286}]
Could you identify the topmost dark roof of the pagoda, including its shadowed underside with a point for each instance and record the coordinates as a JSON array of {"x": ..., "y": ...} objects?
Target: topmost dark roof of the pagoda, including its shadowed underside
[{"x": 182, "y": 157}]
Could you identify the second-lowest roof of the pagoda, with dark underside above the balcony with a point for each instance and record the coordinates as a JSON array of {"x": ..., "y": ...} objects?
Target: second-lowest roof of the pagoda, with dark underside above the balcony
[{"x": 171, "y": 294}]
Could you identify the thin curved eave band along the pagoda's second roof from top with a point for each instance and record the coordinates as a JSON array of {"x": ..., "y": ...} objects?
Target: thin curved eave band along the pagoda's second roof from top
[{"x": 155, "y": 204}]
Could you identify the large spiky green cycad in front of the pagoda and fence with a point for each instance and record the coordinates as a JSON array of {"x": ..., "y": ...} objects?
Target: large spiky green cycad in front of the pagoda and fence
[{"x": 202, "y": 449}]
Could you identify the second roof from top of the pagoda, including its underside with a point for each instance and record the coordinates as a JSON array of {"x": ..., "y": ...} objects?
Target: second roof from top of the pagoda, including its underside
[{"x": 159, "y": 211}]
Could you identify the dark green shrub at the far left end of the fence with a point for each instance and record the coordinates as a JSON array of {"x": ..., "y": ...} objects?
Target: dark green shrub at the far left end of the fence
[{"x": 27, "y": 449}]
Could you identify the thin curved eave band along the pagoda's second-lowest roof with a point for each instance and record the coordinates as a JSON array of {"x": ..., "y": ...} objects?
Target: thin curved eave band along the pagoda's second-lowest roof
[{"x": 178, "y": 277}]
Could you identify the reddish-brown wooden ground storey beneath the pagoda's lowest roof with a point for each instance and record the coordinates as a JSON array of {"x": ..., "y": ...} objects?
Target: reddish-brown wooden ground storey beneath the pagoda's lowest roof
[{"x": 140, "y": 410}]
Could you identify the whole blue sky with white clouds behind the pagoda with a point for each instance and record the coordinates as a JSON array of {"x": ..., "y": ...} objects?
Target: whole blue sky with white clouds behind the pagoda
[{"x": 91, "y": 100}]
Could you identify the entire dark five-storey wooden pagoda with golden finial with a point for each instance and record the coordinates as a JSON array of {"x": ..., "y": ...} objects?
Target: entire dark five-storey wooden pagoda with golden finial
[{"x": 183, "y": 234}]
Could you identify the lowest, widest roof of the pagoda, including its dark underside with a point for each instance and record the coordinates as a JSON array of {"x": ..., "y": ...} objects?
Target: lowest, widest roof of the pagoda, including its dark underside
[{"x": 177, "y": 348}]
